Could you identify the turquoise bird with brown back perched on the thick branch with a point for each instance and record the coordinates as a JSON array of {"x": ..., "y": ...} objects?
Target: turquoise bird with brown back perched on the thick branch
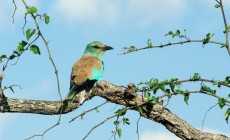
[{"x": 87, "y": 70}]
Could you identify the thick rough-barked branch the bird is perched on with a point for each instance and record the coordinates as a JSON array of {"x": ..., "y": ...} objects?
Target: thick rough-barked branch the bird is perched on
[{"x": 118, "y": 95}]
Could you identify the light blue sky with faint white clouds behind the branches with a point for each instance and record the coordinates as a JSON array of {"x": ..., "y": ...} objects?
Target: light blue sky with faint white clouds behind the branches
[{"x": 75, "y": 23}]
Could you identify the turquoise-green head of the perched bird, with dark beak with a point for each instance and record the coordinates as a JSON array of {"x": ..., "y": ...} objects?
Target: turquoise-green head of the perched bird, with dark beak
[{"x": 96, "y": 49}]
